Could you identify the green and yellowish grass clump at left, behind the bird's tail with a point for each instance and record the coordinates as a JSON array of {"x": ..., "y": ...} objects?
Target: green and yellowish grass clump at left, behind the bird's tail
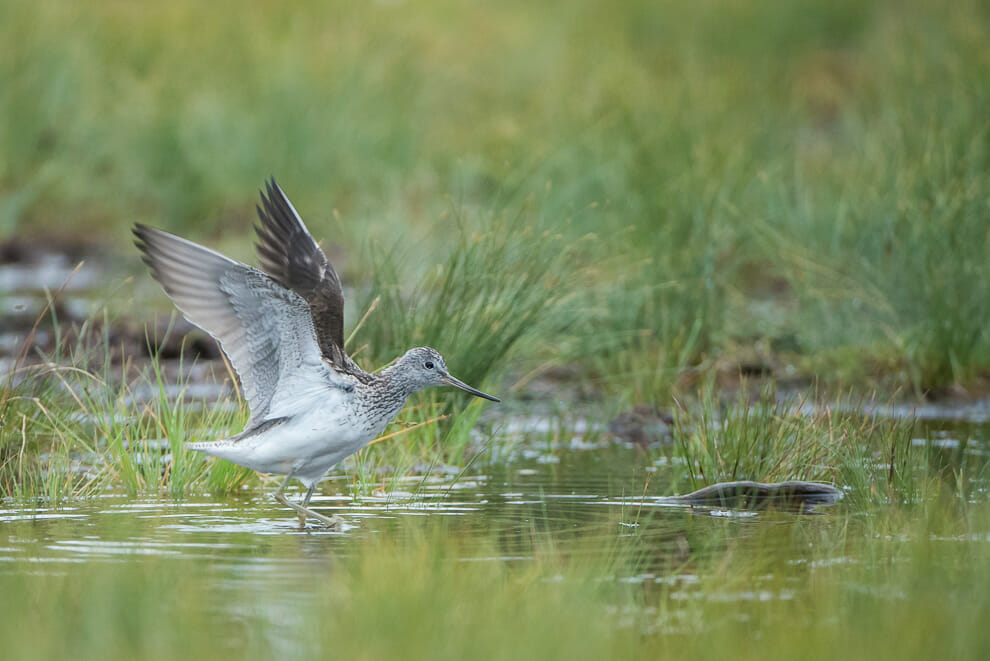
[{"x": 75, "y": 431}]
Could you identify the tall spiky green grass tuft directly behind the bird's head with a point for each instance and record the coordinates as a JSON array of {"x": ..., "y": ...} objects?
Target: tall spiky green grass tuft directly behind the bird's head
[{"x": 496, "y": 289}]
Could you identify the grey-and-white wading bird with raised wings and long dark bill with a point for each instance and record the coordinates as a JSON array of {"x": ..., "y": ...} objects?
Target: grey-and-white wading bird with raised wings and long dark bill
[{"x": 282, "y": 330}]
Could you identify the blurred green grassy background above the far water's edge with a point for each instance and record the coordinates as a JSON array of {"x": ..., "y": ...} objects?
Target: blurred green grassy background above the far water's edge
[{"x": 799, "y": 185}]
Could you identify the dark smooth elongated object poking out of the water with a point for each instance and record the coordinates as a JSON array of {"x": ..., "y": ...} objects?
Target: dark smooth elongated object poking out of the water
[{"x": 759, "y": 495}]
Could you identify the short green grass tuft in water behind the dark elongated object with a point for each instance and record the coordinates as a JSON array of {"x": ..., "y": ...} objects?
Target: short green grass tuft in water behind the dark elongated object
[{"x": 772, "y": 441}]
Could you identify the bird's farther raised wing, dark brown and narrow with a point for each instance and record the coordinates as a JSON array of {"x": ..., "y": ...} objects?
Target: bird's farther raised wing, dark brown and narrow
[{"x": 290, "y": 255}]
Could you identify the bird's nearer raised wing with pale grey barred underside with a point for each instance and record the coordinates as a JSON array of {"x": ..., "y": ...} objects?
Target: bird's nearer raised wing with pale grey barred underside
[{"x": 265, "y": 330}]
